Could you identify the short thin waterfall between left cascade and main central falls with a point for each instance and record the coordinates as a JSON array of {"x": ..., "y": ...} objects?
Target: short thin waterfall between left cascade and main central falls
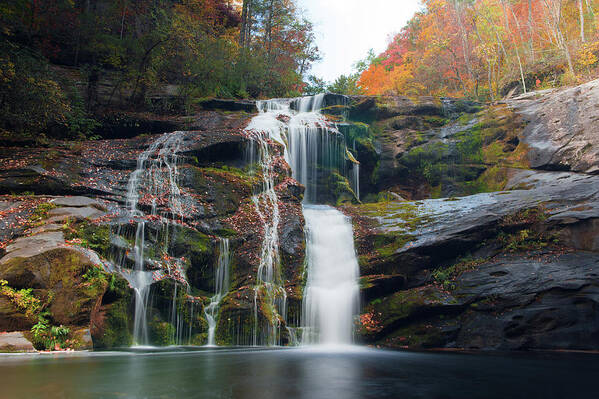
[{"x": 221, "y": 287}]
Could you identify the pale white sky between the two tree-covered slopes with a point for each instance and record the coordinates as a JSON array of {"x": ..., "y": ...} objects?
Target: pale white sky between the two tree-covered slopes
[{"x": 347, "y": 29}]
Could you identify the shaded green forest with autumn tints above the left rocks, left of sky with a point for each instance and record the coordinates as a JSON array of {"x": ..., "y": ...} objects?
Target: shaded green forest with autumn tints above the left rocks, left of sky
[{"x": 123, "y": 52}]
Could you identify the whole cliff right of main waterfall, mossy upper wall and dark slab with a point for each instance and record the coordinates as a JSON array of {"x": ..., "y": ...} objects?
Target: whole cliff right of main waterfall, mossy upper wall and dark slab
[{"x": 497, "y": 244}]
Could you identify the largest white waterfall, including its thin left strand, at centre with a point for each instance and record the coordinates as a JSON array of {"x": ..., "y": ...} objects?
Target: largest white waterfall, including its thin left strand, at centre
[{"x": 312, "y": 145}]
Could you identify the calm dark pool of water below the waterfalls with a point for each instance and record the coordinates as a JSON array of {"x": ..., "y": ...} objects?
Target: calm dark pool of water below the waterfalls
[{"x": 297, "y": 373}]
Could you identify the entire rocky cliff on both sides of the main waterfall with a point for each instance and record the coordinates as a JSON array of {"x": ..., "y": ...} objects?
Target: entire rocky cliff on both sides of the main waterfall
[{"x": 478, "y": 227}]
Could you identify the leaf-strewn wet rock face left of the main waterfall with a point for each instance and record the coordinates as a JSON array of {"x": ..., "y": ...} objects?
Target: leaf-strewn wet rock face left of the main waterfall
[{"x": 49, "y": 249}]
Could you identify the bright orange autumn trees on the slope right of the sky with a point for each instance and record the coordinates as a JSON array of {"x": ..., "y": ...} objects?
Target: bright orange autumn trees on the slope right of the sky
[{"x": 482, "y": 47}]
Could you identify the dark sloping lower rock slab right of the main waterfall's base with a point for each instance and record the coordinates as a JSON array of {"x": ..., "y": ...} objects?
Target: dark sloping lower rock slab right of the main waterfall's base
[{"x": 512, "y": 291}]
